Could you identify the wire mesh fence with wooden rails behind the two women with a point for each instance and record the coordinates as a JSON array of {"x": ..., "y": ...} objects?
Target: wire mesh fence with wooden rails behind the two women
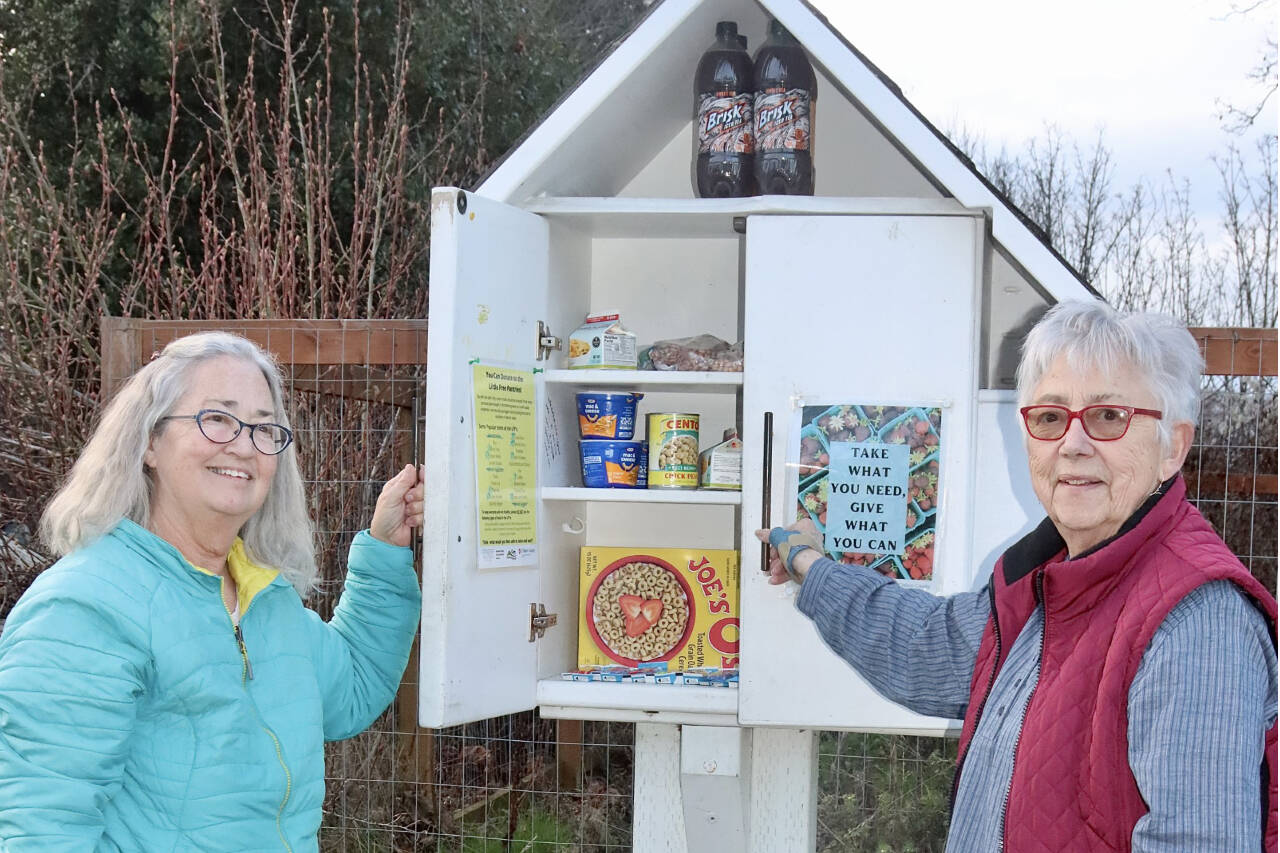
[{"x": 523, "y": 783}]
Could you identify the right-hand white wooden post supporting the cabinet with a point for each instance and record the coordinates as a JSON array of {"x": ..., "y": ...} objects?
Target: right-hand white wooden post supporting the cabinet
[{"x": 784, "y": 791}]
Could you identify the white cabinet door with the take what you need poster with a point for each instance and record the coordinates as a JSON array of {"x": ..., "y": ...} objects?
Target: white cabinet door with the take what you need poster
[{"x": 853, "y": 314}]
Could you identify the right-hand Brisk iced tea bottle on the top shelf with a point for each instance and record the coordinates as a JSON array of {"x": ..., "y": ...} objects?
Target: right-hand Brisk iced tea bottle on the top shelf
[{"x": 785, "y": 95}]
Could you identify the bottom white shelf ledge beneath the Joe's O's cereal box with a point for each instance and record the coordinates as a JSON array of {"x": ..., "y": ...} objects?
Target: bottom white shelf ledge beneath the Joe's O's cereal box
[{"x": 707, "y": 706}]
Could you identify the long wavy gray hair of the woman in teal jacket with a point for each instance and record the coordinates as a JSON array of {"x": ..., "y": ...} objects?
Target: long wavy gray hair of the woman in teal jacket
[{"x": 109, "y": 482}]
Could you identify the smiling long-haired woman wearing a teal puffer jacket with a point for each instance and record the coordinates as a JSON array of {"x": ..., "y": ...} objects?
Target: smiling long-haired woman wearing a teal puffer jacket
[{"x": 162, "y": 686}]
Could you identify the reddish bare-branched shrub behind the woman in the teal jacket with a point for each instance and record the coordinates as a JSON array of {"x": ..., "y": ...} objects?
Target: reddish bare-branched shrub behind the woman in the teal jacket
[{"x": 259, "y": 195}]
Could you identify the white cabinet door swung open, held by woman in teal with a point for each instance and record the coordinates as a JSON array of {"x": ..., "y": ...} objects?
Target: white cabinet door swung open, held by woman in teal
[{"x": 490, "y": 273}]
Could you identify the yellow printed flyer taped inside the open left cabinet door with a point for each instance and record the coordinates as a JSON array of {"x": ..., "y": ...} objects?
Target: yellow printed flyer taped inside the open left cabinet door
[{"x": 505, "y": 407}]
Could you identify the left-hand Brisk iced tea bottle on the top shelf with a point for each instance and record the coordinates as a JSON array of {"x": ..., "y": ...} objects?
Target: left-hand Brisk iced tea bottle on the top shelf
[{"x": 723, "y": 118}]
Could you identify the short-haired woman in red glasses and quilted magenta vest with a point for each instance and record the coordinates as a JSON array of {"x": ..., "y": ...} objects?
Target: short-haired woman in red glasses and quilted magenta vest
[{"x": 1118, "y": 673}]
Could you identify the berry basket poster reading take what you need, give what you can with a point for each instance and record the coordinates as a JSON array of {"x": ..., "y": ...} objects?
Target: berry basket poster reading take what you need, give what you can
[{"x": 868, "y": 477}]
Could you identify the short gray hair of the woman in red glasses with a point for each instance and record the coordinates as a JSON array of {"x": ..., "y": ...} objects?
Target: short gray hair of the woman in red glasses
[{"x": 1092, "y": 335}]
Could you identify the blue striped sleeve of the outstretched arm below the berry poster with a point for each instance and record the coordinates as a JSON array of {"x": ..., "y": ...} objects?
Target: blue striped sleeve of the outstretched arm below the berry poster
[{"x": 861, "y": 614}]
